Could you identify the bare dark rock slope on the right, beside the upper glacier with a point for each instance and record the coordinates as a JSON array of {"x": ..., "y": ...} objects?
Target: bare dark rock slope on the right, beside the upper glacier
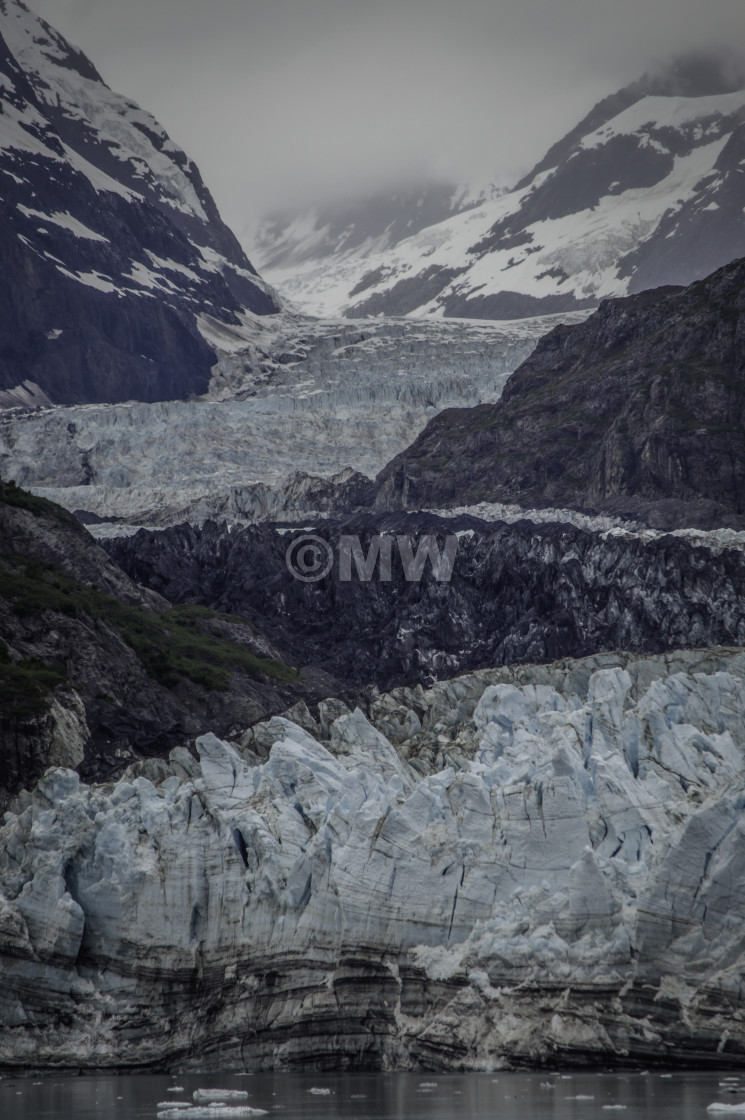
[{"x": 638, "y": 412}]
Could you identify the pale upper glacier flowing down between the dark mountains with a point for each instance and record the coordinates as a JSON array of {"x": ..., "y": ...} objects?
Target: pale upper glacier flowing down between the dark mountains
[{"x": 292, "y": 397}]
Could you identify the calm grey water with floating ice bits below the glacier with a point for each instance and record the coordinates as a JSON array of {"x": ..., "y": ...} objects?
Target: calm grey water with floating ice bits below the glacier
[{"x": 384, "y": 1096}]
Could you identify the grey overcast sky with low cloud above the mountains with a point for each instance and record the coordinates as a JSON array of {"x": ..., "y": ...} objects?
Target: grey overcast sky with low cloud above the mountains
[{"x": 288, "y": 101}]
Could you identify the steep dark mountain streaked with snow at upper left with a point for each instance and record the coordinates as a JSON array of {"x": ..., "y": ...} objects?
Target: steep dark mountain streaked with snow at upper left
[{"x": 116, "y": 269}]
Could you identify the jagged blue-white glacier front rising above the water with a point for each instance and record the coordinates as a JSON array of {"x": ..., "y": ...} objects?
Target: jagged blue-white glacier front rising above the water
[{"x": 520, "y": 866}]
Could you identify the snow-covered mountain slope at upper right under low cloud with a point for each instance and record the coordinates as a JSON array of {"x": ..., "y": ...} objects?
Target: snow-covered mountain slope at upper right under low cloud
[{"x": 646, "y": 191}]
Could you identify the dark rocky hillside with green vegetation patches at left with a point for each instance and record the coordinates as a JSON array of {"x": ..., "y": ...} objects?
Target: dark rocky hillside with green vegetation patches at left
[{"x": 97, "y": 673}]
